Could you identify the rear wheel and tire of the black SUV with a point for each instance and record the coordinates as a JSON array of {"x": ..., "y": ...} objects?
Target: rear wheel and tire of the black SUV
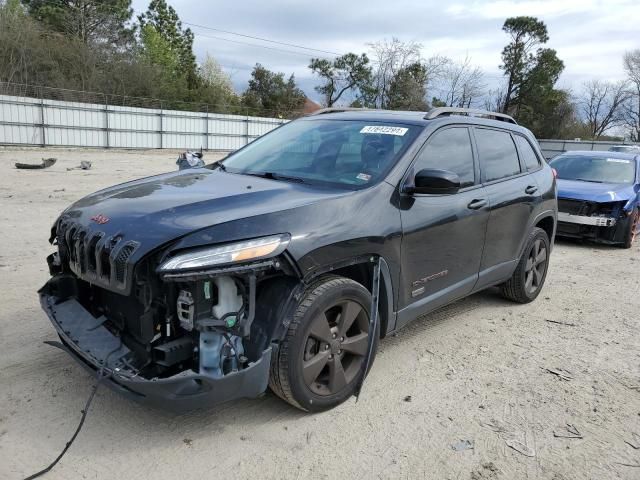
[{"x": 528, "y": 279}]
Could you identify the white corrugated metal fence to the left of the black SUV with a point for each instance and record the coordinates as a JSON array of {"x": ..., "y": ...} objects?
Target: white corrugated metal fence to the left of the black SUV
[{"x": 42, "y": 122}]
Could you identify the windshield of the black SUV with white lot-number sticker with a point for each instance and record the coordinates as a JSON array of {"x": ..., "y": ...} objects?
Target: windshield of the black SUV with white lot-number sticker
[{"x": 348, "y": 153}]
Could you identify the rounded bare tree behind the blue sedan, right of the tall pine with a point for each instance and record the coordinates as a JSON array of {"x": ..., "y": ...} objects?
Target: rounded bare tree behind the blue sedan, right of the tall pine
[{"x": 601, "y": 105}]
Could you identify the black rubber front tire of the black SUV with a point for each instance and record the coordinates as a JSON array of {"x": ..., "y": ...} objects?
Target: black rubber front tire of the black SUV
[{"x": 320, "y": 300}]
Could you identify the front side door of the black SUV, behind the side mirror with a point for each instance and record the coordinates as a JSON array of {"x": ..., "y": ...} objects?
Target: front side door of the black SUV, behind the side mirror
[{"x": 443, "y": 235}]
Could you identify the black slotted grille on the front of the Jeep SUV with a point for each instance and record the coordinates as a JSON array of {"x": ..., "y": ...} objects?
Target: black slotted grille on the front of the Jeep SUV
[{"x": 94, "y": 256}]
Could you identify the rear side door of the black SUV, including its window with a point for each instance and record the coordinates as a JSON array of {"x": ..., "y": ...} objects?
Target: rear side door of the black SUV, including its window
[{"x": 512, "y": 193}]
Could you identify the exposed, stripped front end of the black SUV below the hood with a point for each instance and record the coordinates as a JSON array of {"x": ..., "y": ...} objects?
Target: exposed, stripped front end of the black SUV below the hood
[{"x": 178, "y": 340}]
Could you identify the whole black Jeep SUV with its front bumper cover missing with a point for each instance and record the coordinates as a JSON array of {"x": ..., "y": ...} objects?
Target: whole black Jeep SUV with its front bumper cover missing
[{"x": 283, "y": 264}]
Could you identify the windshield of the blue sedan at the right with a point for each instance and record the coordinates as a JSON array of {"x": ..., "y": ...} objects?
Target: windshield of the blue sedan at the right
[{"x": 595, "y": 169}]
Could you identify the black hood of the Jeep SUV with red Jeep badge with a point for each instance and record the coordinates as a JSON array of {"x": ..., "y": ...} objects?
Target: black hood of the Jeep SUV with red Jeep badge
[{"x": 156, "y": 210}]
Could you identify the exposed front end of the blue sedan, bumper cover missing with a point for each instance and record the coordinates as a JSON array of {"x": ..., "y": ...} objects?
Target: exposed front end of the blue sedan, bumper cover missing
[{"x": 605, "y": 222}]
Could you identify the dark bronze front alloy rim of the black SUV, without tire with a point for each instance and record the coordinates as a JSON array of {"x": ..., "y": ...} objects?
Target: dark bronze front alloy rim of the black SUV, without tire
[{"x": 335, "y": 348}]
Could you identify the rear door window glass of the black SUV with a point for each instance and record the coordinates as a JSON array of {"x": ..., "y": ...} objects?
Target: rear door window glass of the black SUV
[{"x": 498, "y": 154}]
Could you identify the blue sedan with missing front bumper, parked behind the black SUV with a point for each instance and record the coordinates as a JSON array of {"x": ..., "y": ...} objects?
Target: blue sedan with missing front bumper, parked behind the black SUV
[{"x": 599, "y": 196}]
